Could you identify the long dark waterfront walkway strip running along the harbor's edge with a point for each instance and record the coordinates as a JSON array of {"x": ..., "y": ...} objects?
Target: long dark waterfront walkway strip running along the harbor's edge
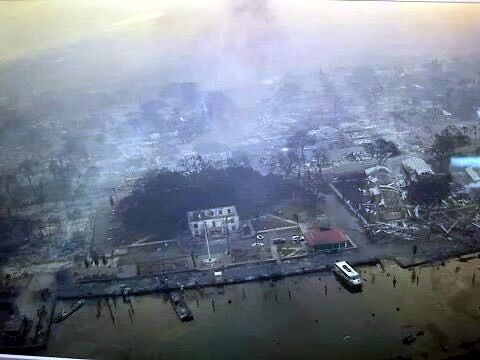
[{"x": 265, "y": 270}]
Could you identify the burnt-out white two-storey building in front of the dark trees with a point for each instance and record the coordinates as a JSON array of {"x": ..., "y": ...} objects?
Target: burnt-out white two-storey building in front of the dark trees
[{"x": 217, "y": 220}]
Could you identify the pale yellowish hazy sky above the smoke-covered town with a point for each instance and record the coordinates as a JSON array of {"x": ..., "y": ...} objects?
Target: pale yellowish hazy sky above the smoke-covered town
[{"x": 220, "y": 40}]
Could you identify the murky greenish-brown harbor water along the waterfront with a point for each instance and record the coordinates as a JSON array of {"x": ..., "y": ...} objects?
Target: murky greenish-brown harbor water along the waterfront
[{"x": 302, "y": 317}]
